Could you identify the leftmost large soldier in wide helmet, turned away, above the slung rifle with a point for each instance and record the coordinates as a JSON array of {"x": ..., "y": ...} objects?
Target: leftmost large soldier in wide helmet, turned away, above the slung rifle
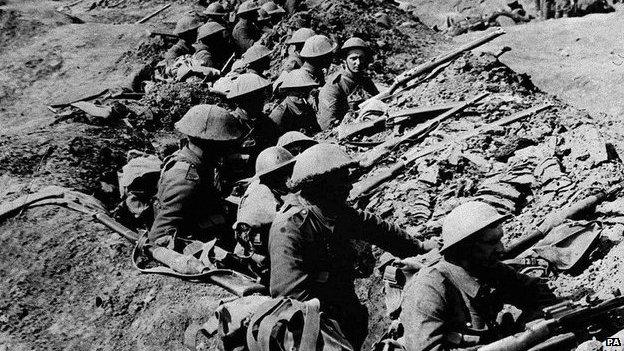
[{"x": 190, "y": 189}]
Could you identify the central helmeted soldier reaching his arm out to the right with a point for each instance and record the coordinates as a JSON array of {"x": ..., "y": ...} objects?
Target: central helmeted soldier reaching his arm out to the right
[{"x": 309, "y": 248}]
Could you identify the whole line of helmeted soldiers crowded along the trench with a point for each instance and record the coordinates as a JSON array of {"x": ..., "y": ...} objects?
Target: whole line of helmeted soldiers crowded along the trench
[{"x": 293, "y": 224}]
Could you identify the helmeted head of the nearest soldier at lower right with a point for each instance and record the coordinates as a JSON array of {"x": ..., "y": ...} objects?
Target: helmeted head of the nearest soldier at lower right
[{"x": 472, "y": 235}]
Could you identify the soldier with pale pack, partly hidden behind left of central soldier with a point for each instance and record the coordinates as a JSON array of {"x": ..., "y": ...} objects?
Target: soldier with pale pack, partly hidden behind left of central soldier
[{"x": 259, "y": 204}]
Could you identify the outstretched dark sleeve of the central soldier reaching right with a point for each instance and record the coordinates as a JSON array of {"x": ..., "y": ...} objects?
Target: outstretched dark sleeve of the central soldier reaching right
[{"x": 368, "y": 227}]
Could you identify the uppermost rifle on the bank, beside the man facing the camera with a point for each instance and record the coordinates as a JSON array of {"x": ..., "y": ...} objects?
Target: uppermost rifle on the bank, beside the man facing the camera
[{"x": 428, "y": 66}]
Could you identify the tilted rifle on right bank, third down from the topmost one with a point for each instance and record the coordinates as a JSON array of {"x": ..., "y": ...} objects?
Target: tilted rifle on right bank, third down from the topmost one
[{"x": 372, "y": 156}]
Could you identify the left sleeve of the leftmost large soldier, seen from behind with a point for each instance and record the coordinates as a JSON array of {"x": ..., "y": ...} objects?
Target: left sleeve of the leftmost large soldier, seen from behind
[{"x": 176, "y": 196}]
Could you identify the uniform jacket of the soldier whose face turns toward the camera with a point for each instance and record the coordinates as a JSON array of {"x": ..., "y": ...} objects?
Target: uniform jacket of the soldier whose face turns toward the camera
[{"x": 334, "y": 96}]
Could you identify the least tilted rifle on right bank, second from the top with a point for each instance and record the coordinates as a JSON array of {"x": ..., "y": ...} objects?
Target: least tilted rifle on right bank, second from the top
[{"x": 422, "y": 112}]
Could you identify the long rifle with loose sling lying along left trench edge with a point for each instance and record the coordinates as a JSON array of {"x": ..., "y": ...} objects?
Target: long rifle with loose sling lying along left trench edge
[{"x": 178, "y": 265}]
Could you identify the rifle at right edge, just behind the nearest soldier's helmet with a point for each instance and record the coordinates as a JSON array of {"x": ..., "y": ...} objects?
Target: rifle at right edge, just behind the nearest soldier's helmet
[{"x": 554, "y": 219}]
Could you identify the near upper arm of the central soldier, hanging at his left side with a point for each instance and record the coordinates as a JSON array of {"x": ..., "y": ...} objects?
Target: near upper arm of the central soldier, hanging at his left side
[{"x": 288, "y": 276}]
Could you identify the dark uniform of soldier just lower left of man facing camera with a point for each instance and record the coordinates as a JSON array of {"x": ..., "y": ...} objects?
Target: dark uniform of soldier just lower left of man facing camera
[{"x": 295, "y": 114}]
